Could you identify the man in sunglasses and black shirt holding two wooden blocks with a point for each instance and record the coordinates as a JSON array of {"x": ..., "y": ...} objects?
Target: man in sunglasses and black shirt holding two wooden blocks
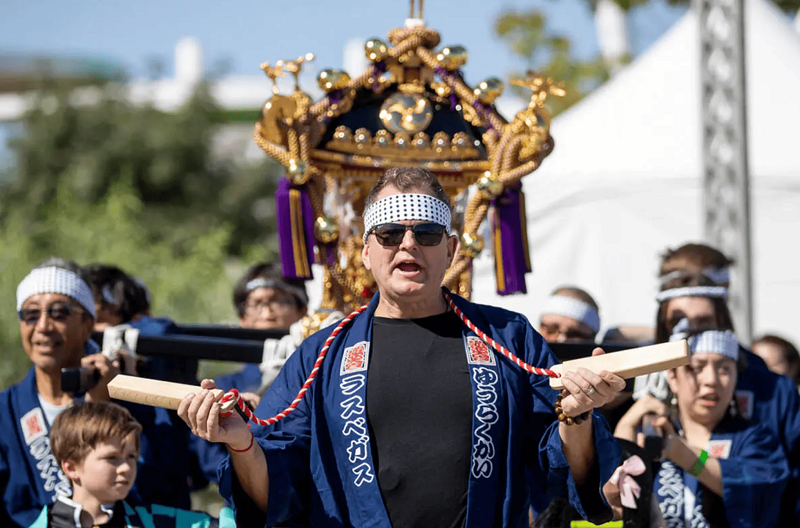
[{"x": 414, "y": 419}]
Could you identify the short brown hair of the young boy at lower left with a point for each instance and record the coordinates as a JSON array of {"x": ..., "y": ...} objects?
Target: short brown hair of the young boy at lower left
[{"x": 79, "y": 429}]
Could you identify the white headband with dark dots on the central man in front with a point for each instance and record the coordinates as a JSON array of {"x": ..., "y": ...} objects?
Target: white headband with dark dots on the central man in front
[{"x": 410, "y": 206}]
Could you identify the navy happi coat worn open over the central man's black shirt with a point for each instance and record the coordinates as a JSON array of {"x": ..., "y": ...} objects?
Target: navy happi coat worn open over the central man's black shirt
[{"x": 320, "y": 460}]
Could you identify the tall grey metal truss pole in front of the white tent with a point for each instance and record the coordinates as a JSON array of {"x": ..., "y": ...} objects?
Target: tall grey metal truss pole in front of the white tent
[{"x": 726, "y": 184}]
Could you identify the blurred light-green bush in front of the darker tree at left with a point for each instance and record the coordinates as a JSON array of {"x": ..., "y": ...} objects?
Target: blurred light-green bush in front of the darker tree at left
[{"x": 192, "y": 285}]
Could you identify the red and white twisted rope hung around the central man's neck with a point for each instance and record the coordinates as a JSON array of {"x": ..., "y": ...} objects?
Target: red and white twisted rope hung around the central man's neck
[{"x": 234, "y": 394}]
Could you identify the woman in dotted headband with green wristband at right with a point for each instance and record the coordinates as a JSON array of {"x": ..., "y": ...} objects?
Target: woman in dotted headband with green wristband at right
[{"x": 715, "y": 468}]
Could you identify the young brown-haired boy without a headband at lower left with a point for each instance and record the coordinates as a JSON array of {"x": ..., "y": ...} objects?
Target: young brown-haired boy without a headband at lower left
[{"x": 97, "y": 445}]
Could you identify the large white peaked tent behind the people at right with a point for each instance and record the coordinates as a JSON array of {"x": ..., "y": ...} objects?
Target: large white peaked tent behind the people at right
[{"x": 624, "y": 181}]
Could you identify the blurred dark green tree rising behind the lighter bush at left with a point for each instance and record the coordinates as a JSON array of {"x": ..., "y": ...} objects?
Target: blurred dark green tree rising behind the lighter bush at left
[{"x": 87, "y": 147}]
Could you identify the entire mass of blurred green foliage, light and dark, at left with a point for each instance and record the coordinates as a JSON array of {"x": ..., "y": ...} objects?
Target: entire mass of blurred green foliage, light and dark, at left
[{"x": 132, "y": 186}]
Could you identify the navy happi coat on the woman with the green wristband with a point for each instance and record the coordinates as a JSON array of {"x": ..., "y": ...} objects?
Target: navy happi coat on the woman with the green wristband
[{"x": 754, "y": 476}]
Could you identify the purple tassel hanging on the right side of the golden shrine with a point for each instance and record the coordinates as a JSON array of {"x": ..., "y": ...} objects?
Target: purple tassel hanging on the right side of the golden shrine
[{"x": 510, "y": 239}]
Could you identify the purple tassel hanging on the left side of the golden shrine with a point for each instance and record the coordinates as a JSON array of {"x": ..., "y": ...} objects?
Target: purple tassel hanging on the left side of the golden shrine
[{"x": 295, "y": 230}]
